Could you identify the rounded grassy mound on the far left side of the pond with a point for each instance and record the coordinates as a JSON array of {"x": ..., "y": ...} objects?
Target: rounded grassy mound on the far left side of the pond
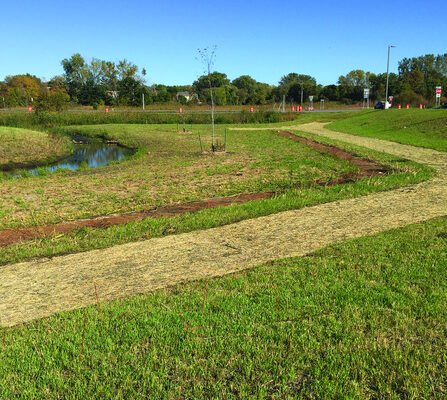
[{"x": 22, "y": 147}]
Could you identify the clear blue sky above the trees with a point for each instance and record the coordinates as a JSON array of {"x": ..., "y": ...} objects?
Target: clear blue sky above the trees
[{"x": 264, "y": 38}]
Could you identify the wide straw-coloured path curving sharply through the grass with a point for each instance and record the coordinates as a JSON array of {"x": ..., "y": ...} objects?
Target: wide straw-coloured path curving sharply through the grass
[{"x": 36, "y": 289}]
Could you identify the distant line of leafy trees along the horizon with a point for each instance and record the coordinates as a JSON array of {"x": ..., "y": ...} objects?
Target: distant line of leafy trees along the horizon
[{"x": 101, "y": 82}]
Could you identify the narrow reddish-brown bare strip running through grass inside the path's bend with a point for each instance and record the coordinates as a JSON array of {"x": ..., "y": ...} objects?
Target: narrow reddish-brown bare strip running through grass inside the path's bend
[{"x": 365, "y": 167}]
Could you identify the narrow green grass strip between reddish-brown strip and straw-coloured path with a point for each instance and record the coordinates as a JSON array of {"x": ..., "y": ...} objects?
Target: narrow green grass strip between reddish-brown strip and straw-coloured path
[{"x": 404, "y": 173}]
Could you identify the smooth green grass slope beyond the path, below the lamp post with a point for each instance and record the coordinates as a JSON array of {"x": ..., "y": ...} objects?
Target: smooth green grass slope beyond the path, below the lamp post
[{"x": 423, "y": 128}]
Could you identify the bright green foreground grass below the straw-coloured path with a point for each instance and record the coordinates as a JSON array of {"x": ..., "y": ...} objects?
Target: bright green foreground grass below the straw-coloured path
[{"x": 362, "y": 319}]
